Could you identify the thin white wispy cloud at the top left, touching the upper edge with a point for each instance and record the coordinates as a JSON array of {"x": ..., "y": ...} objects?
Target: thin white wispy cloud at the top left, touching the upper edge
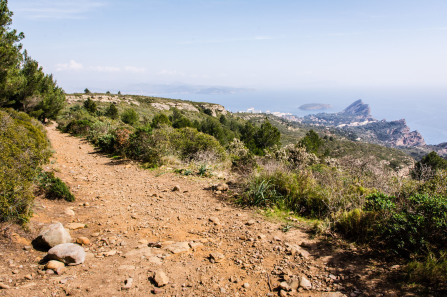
[{"x": 56, "y": 9}]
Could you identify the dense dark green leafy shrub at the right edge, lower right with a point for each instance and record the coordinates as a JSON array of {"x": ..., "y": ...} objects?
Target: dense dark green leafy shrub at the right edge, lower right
[{"x": 413, "y": 225}]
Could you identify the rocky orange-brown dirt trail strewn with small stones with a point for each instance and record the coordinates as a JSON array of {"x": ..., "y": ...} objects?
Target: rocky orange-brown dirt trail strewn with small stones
[{"x": 125, "y": 207}]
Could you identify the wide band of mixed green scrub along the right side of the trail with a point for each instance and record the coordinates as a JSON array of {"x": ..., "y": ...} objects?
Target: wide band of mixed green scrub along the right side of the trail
[{"x": 367, "y": 193}]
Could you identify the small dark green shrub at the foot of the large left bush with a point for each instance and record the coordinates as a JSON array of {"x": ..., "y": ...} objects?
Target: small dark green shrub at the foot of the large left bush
[{"x": 54, "y": 187}]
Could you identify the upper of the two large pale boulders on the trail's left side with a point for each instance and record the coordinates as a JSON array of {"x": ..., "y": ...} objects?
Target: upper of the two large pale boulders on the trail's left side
[{"x": 50, "y": 236}]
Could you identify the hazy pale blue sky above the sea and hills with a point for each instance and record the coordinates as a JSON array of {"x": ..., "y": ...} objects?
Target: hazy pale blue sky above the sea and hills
[{"x": 250, "y": 44}]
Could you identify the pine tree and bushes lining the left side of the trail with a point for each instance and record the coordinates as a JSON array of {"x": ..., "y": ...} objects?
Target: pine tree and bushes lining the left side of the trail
[{"x": 28, "y": 96}]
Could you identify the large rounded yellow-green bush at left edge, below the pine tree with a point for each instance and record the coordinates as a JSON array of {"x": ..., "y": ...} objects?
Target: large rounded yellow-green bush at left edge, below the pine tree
[{"x": 24, "y": 147}]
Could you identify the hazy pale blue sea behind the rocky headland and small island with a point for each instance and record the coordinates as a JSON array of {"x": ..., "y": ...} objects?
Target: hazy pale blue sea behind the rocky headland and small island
[{"x": 423, "y": 110}]
